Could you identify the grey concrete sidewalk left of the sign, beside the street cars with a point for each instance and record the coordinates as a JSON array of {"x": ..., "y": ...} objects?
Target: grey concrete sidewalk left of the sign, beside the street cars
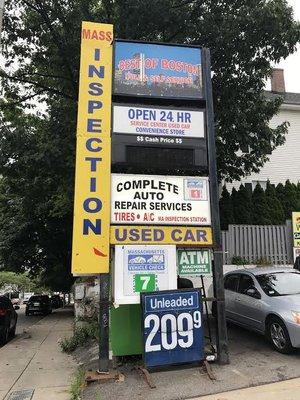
[{"x": 35, "y": 361}]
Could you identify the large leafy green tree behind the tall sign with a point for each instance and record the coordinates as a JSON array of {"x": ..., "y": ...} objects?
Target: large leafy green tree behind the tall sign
[{"x": 41, "y": 42}]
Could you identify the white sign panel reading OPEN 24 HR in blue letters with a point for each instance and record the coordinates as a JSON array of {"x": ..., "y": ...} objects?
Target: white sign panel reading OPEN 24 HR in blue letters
[{"x": 177, "y": 123}]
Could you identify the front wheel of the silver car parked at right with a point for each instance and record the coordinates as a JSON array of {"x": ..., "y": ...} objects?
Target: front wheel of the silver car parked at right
[{"x": 279, "y": 336}]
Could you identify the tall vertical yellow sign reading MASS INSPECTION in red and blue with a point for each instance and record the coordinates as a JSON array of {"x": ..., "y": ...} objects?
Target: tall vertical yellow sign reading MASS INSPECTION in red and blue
[{"x": 91, "y": 225}]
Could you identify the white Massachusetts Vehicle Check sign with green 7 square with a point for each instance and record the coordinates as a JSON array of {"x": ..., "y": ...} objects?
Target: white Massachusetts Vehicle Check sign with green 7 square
[{"x": 143, "y": 269}]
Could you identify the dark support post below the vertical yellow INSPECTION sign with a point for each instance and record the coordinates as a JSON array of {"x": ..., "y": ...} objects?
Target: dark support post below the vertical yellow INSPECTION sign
[{"x": 104, "y": 324}]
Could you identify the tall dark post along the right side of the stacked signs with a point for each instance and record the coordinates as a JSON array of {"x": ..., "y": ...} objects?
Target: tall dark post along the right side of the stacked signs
[{"x": 222, "y": 339}]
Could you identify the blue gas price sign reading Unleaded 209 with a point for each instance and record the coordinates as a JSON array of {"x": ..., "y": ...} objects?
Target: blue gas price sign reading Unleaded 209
[{"x": 172, "y": 327}]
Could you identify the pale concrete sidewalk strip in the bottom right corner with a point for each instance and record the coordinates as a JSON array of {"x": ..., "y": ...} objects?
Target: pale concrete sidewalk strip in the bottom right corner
[{"x": 285, "y": 390}]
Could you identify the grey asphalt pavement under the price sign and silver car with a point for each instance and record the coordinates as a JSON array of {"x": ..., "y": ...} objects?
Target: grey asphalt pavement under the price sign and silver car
[{"x": 252, "y": 363}]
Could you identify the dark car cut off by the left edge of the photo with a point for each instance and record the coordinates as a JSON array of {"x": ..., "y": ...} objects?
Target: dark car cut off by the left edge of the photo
[{"x": 8, "y": 319}]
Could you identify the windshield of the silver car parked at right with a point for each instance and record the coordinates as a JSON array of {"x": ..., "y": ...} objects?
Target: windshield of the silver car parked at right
[{"x": 280, "y": 283}]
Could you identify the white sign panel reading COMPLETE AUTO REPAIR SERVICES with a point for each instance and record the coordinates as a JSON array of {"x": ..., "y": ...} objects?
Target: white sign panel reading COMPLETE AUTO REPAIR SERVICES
[{"x": 155, "y": 199}]
